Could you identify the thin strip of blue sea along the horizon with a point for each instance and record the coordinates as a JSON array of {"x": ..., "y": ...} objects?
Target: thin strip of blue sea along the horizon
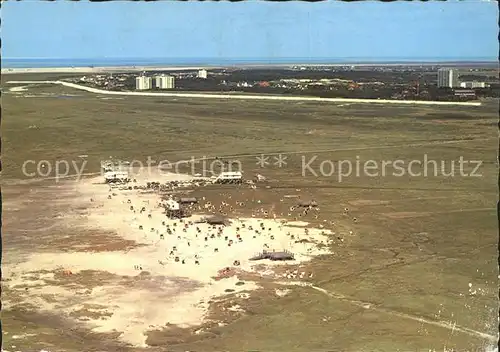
[{"x": 207, "y": 62}]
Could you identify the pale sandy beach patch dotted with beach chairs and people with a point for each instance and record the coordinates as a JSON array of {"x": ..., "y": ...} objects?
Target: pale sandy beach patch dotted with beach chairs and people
[{"x": 176, "y": 293}]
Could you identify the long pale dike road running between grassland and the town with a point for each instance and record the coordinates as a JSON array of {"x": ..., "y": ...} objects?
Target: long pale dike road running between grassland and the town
[{"x": 248, "y": 97}]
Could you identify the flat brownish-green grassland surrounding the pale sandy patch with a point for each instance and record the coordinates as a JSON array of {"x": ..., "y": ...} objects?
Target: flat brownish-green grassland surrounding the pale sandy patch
[{"x": 415, "y": 246}]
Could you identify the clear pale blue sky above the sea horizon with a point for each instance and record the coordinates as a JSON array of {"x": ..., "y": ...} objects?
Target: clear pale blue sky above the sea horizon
[{"x": 466, "y": 30}]
